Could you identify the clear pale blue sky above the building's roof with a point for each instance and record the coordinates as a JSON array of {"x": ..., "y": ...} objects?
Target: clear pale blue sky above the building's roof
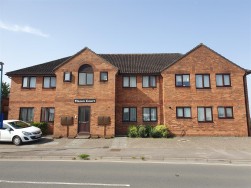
[{"x": 37, "y": 31}]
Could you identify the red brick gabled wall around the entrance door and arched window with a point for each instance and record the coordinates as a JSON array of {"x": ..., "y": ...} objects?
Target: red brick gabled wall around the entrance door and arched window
[{"x": 103, "y": 92}]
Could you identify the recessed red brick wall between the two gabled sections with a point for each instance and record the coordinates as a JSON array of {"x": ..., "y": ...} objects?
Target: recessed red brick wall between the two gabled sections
[{"x": 137, "y": 97}]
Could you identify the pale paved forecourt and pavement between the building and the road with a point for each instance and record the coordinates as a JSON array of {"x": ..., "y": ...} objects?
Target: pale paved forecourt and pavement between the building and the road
[{"x": 186, "y": 149}]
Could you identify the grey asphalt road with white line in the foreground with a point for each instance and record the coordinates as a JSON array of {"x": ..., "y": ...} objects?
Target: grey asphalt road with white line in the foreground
[{"x": 65, "y": 174}]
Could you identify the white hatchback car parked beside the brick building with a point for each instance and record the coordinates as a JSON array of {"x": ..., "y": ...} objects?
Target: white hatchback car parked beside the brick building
[{"x": 17, "y": 131}]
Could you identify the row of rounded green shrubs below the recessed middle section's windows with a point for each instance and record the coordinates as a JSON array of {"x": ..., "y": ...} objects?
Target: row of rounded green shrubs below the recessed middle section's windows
[{"x": 159, "y": 131}]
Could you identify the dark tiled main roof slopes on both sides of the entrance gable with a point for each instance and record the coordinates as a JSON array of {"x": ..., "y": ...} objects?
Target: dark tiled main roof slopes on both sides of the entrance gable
[{"x": 126, "y": 63}]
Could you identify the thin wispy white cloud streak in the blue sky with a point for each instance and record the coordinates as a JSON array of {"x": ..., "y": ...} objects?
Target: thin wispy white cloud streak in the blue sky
[{"x": 25, "y": 29}]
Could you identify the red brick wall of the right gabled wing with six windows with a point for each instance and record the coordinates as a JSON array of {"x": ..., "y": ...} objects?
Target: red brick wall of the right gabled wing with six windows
[{"x": 203, "y": 60}]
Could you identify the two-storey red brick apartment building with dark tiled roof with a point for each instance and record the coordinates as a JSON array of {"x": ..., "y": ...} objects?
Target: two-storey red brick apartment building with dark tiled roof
[{"x": 198, "y": 93}]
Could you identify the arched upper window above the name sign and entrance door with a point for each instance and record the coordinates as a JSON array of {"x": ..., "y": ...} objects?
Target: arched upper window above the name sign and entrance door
[{"x": 85, "y": 75}]
